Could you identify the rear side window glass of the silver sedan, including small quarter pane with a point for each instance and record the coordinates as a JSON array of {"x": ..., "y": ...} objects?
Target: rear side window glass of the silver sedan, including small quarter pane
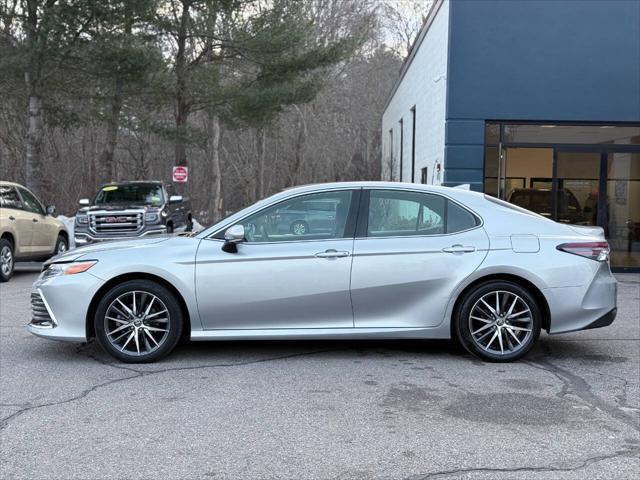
[{"x": 400, "y": 214}]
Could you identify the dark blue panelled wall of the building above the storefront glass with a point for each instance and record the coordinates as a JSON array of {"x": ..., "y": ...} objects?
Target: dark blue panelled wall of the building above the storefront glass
[{"x": 536, "y": 60}]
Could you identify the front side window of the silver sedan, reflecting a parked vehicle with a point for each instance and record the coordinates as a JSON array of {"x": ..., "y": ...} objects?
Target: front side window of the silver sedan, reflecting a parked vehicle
[{"x": 318, "y": 216}]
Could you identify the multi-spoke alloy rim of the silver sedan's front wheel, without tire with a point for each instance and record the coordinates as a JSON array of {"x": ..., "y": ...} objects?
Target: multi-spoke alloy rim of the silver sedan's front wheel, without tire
[{"x": 137, "y": 323}]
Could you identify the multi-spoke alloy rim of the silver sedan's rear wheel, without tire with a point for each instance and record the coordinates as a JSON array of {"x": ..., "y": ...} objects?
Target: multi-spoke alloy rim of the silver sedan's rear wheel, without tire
[{"x": 501, "y": 322}]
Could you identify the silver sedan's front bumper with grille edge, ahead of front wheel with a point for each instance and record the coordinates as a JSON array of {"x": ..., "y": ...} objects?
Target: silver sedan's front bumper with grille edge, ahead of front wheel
[{"x": 66, "y": 299}]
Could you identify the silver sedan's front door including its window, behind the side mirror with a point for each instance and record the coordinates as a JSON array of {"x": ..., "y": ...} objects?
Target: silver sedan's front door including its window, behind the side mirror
[{"x": 279, "y": 279}]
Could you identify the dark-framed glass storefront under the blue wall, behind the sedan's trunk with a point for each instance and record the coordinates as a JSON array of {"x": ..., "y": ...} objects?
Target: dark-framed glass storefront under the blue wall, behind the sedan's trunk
[{"x": 596, "y": 182}]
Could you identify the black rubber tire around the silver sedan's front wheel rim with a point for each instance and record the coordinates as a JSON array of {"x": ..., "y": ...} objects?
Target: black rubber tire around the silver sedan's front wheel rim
[{"x": 175, "y": 320}]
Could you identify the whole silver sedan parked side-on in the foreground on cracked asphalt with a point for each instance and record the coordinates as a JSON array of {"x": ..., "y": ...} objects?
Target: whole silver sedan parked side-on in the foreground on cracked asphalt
[{"x": 398, "y": 261}]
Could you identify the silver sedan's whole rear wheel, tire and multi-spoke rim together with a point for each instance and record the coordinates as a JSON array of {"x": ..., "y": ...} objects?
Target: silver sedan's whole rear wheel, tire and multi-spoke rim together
[{"x": 498, "y": 321}]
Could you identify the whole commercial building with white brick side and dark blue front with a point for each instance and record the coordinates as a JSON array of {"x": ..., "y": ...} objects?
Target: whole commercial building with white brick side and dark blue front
[{"x": 533, "y": 101}]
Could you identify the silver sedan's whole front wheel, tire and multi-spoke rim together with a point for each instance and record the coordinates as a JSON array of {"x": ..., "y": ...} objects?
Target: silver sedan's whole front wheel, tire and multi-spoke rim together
[{"x": 138, "y": 321}]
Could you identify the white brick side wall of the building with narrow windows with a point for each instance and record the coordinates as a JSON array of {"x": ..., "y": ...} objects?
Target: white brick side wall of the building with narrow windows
[{"x": 425, "y": 87}]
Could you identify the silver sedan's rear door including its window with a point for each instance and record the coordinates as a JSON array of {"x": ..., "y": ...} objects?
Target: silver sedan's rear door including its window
[{"x": 411, "y": 250}]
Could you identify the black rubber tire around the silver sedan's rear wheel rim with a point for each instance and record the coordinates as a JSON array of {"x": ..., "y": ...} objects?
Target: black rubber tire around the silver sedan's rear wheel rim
[{"x": 462, "y": 320}]
